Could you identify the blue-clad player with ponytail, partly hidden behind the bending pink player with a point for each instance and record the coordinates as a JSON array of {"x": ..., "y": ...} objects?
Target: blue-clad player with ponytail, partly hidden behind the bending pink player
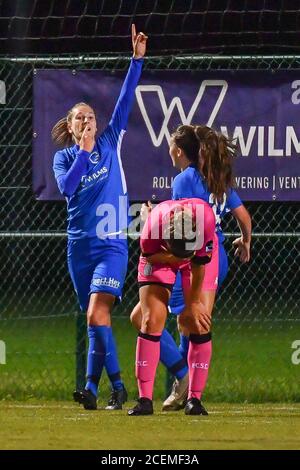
[{"x": 205, "y": 160}]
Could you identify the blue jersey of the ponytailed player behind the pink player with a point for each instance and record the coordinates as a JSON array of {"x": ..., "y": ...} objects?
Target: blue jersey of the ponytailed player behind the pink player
[{"x": 189, "y": 183}]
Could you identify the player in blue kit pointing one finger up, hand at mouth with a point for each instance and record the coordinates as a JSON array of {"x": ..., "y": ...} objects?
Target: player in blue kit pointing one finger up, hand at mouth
[{"x": 90, "y": 175}]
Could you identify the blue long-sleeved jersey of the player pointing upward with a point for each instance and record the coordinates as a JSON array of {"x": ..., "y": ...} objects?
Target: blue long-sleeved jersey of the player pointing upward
[{"x": 99, "y": 205}]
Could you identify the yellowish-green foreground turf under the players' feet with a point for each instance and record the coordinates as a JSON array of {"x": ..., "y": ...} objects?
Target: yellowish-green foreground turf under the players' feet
[{"x": 63, "y": 425}]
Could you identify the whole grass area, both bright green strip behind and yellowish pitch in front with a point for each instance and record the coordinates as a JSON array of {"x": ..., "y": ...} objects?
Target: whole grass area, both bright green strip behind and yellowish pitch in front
[{"x": 251, "y": 396}]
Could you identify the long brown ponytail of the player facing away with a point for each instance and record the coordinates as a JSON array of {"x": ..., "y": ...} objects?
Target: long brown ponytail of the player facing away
[{"x": 215, "y": 160}]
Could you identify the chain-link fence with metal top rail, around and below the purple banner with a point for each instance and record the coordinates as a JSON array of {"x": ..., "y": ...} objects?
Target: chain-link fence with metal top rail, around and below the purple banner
[{"x": 257, "y": 316}]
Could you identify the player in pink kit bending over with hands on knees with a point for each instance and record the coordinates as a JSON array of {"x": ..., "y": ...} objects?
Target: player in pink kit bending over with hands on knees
[{"x": 167, "y": 244}]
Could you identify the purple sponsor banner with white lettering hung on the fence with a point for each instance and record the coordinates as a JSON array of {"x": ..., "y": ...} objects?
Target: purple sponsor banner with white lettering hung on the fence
[{"x": 261, "y": 103}]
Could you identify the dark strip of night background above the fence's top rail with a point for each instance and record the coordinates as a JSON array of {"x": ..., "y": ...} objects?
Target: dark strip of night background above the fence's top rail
[{"x": 208, "y": 26}]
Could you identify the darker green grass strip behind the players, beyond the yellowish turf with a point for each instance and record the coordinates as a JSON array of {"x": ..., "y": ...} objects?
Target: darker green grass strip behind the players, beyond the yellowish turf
[{"x": 251, "y": 361}]
